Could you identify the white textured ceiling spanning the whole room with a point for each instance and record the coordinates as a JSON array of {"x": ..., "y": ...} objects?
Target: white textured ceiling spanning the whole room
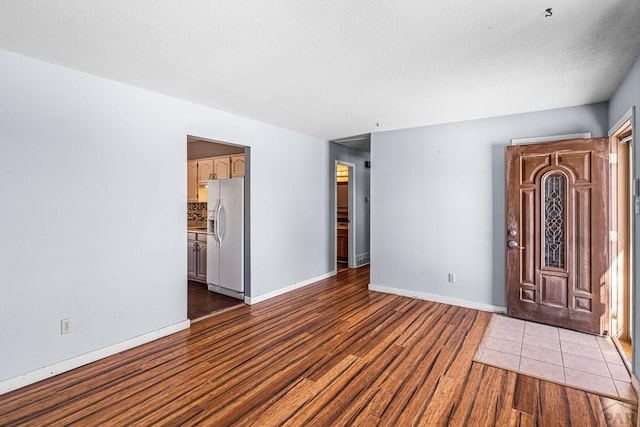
[{"x": 334, "y": 68}]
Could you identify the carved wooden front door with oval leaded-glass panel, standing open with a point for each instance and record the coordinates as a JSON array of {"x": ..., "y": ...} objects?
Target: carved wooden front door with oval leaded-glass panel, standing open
[{"x": 557, "y": 233}]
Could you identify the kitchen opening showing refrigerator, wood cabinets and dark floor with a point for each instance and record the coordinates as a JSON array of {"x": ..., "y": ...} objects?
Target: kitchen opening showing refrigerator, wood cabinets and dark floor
[{"x": 217, "y": 232}]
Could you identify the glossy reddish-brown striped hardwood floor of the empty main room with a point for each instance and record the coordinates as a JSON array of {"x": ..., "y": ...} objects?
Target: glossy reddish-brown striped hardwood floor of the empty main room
[{"x": 332, "y": 353}]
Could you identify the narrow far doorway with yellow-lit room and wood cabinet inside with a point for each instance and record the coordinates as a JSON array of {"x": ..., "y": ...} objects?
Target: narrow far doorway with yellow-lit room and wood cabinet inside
[{"x": 345, "y": 215}]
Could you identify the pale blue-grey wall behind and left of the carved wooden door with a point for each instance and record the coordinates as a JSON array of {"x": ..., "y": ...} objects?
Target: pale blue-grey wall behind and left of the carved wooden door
[{"x": 437, "y": 202}]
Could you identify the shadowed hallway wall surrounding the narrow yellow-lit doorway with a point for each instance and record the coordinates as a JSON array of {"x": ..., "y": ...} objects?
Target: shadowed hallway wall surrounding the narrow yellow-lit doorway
[{"x": 362, "y": 180}]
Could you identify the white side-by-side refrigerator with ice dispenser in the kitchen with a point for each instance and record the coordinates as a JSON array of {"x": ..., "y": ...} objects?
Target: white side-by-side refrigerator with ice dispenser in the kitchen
[{"x": 225, "y": 237}]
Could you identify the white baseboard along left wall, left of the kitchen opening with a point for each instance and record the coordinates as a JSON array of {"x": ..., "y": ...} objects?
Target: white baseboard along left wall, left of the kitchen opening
[{"x": 75, "y": 362}]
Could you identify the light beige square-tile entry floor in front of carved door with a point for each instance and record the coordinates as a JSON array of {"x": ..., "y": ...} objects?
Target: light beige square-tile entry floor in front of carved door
[{"x": 575, "y": 359}]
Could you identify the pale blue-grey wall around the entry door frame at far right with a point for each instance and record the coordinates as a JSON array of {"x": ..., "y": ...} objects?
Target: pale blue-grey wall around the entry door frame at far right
[{"x": 626, "y": 96}]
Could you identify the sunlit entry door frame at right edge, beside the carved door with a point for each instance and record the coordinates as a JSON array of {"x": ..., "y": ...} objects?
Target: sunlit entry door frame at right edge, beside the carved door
[{"x": 625, "y": 123}]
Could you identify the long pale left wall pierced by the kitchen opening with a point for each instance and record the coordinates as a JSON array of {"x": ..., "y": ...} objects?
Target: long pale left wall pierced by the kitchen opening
[{"x": 93, "y": 209}]
